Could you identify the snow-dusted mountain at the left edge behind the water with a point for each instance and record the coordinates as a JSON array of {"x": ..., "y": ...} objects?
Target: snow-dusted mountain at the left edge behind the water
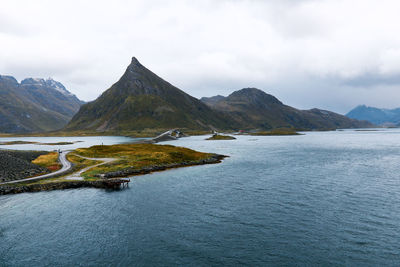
[{"x": 34, "y": 105}]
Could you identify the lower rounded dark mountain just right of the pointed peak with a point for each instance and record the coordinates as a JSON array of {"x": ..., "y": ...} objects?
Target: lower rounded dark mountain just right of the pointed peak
[{"x": 252, "y": 108}]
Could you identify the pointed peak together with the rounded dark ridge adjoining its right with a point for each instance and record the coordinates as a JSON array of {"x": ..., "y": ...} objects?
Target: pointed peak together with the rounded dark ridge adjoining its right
[{"x": 141, "y": 99}]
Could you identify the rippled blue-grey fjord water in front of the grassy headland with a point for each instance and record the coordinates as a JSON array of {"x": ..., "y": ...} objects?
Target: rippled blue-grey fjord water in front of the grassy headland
[{"x": 329, "y": 198}]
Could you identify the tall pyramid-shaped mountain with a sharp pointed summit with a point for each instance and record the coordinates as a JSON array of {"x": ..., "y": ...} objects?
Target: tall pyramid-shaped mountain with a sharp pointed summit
[{"x": 140, "y": 100}]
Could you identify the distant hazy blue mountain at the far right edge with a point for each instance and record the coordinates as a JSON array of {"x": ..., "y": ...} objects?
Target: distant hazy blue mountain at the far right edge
[{"x": 375, "y": 115}]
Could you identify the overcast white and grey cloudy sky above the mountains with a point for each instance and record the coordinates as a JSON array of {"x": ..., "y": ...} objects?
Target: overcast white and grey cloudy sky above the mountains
[{"x": 330, "y": 54}]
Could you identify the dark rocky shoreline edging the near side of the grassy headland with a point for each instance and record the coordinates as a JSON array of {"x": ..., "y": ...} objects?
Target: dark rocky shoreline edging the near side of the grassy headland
[{"x": 111, "y": 180}]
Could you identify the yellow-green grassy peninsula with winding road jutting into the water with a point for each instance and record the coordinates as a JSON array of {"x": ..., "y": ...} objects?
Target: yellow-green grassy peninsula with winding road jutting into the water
[{"x": 102, "y": 166}]
